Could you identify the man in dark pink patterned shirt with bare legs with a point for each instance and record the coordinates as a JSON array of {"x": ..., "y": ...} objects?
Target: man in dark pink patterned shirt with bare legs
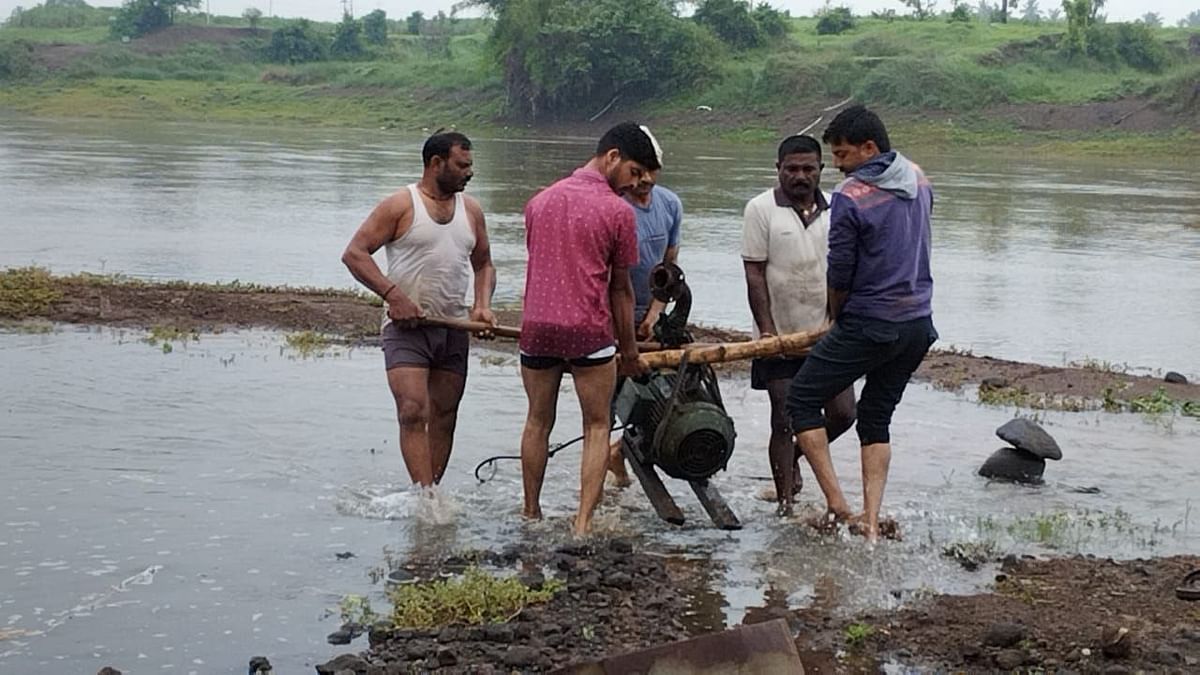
[{"x": 583, "y": 240}]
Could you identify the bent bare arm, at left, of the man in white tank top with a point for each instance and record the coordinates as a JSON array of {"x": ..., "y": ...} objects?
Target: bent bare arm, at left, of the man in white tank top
[{"x": 381, "y": 228}]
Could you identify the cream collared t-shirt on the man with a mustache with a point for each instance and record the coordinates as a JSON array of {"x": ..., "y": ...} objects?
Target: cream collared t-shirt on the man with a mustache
[{"x": 796, "y": 259}]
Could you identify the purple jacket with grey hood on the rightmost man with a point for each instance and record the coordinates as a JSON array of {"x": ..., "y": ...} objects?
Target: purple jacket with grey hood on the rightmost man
[{"x": 880, "y": 241}]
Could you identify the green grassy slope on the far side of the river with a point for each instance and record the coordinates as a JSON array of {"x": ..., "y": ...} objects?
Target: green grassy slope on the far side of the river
[{"x": 944, "y": 85}]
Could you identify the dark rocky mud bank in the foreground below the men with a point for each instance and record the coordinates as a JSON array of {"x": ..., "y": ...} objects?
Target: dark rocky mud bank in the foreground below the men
[{"x": 1084, "y": 614}]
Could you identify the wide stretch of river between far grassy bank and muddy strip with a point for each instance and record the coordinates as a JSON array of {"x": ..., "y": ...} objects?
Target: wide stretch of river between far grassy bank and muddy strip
[{"x": 1036, "y": 258}]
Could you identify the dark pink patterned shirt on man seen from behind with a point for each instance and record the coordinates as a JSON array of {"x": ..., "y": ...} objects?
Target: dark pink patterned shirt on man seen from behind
[{"x": 577, "y": 231}]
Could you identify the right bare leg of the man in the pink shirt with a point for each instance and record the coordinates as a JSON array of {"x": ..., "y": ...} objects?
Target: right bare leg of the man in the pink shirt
[{"x": 595, "y": 389}]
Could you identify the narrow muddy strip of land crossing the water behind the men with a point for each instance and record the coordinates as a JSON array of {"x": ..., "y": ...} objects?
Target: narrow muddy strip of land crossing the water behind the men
[{"x": 317, "y": 316}]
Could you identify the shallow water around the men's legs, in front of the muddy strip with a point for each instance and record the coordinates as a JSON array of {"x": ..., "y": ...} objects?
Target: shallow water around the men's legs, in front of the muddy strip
[{"x": 182, "y": 512}]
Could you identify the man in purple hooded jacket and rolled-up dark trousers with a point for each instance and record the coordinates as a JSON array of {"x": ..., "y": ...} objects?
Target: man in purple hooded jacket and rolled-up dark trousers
[{"x": 880, "y": 292}]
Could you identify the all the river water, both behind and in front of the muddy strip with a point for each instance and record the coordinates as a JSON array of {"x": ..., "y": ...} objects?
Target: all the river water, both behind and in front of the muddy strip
[{"x": 183, "y": 512}]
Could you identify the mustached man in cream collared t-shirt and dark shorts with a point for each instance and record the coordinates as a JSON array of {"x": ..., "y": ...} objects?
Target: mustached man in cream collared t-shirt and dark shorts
[{"x": 785, "y": 242}]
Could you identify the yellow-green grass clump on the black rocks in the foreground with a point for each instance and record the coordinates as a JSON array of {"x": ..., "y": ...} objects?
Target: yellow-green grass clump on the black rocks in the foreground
[{"x": 475, "y": 599}]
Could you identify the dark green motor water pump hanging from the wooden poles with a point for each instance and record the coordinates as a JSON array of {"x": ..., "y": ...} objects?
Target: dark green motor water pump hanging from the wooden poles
[{"x": 675, "y": 419}]
